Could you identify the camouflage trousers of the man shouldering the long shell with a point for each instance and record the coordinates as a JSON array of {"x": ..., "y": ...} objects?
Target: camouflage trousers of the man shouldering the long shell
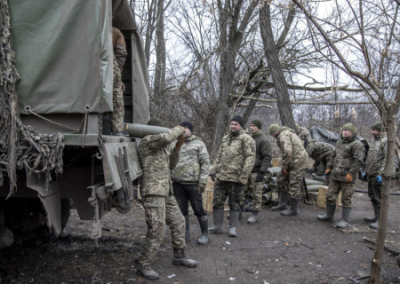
[{"x": 161, "y": 211}]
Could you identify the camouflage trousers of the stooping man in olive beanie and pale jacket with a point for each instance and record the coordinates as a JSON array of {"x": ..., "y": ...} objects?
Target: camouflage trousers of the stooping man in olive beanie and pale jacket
[{"x": 291, "y": 183}]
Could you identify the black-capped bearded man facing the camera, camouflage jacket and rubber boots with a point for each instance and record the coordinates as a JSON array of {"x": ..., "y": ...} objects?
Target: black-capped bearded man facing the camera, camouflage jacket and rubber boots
[{"x": 235, "y": 159}]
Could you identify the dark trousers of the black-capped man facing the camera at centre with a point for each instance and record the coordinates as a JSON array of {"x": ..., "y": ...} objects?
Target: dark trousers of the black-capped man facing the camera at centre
[{"x": 223, "y": 189}]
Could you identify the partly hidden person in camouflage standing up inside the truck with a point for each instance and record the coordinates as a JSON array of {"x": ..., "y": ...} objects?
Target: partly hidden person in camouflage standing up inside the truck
[{"x": 119, "y": 56}]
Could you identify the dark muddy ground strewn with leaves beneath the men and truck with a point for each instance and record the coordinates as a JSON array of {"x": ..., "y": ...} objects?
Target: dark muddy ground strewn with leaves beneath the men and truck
[{"x": 276, "y": 250}]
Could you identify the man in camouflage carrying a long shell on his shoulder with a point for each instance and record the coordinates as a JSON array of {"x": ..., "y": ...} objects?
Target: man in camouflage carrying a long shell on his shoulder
[{"x": 158, "y": 157}]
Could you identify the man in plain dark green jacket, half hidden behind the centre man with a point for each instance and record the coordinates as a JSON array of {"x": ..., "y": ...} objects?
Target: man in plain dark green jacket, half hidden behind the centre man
[{"x": 263, "y": 161}]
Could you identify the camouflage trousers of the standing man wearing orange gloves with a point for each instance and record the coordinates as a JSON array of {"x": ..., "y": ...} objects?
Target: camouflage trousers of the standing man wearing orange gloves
[{"x": 335, "y": 186}]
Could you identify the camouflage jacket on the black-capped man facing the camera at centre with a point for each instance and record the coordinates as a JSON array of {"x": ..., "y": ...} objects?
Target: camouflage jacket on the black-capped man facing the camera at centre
[{"x": 235, "y": 158}]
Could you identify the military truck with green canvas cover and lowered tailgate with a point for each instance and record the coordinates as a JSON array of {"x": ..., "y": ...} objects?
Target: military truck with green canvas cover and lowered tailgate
[{"x": 55, "y": 146}]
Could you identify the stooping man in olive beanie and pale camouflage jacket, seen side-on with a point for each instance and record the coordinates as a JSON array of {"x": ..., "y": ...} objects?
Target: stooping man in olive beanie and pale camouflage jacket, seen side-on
[{"x": 294, "y": 166}]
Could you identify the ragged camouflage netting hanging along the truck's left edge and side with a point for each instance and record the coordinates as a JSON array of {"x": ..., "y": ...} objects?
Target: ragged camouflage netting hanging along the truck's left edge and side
[{"x": 20, "y": 145}]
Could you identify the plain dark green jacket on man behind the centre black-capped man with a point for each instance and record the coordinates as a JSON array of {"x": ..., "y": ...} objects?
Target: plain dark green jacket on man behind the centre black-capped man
[{"x": 263, "y": 153}]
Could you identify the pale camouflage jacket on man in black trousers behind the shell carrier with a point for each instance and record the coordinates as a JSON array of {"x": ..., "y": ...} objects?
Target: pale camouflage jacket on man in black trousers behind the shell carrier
[{"x": 194, "y": 162}]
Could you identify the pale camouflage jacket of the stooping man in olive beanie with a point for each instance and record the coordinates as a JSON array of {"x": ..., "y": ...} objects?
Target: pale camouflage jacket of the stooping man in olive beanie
[{"x": 294, "y": 156}]
